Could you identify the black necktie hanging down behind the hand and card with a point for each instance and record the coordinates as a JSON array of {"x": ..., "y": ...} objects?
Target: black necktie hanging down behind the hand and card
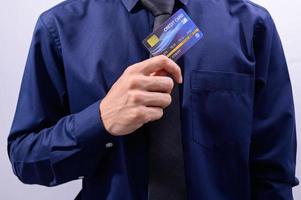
[{"x": 166, "y": 165}]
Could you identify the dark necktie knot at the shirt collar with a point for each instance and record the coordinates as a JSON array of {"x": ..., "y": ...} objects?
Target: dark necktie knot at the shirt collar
[{"x": 159, "y": 7}]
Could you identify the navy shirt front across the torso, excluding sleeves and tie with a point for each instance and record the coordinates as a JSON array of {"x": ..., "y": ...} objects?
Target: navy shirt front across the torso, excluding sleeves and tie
[{"x": 99, "y": 39}]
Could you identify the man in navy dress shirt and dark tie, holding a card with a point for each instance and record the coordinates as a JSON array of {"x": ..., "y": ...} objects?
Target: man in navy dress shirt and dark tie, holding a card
[{"x": 91, "y": 99}]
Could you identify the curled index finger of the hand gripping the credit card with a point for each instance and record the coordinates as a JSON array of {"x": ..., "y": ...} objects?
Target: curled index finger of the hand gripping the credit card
[{"x": 162, "y": 62}]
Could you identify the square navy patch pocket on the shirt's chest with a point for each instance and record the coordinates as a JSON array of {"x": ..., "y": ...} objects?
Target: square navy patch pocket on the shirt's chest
[{"x": 221, "y": 111}]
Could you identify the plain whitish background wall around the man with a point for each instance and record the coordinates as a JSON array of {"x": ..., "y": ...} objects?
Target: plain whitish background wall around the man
[{"x": 17, "y": 20}]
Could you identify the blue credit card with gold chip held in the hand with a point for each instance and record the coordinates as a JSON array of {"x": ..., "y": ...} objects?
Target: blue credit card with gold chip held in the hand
[{"x": 174, "y": 37}]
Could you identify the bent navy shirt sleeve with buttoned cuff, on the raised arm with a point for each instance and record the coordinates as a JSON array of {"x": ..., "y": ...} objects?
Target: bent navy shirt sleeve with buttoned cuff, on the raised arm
[{"x": 47, "y": 144}]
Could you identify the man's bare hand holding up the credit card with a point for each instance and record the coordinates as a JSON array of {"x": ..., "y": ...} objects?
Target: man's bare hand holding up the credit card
[{"x": 139, "y": 95}]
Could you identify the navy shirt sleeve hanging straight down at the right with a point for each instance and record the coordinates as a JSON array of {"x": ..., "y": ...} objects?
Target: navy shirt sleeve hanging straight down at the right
[{"x": 273, "y": 145}]
